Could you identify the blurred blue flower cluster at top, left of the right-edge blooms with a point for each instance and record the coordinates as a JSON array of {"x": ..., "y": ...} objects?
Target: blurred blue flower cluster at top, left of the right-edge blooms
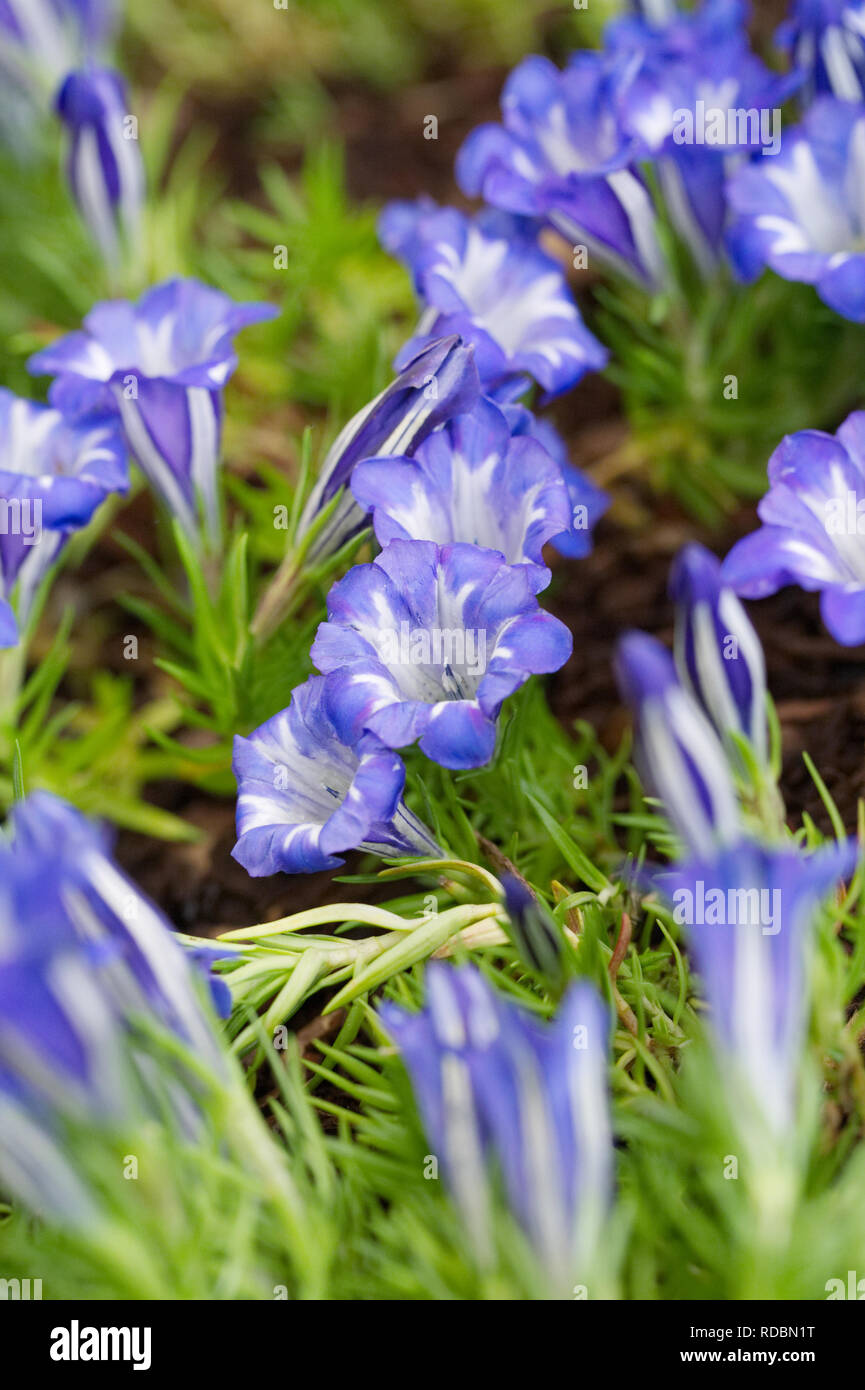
[{"x": 682, "y": 92}]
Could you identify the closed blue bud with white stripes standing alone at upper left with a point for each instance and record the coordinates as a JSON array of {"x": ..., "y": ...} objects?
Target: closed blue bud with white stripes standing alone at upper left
[{"x": 105, "y": 166}]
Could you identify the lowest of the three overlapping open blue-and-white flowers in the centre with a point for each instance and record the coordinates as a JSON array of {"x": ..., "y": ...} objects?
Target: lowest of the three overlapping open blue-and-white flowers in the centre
[{"x": 305, "y": 797}]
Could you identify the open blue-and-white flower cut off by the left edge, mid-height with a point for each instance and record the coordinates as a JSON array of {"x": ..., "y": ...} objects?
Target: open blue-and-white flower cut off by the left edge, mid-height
[{"x": 54, "y": 476}]
